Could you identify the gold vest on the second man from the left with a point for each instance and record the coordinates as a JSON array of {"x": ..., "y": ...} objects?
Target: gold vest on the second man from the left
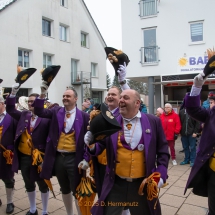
[{"x": 25, "y": 144}]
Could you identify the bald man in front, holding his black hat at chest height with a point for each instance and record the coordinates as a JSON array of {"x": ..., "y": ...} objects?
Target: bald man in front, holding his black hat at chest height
[{"x": 133, "y": 154}]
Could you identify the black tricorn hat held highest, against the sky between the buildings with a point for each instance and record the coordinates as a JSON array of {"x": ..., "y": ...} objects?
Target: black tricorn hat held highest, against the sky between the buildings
[{"x": 116, "y": 57}]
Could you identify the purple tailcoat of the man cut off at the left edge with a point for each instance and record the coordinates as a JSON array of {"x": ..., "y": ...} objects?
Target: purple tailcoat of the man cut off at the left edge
[{"x": 7, "y": 140}]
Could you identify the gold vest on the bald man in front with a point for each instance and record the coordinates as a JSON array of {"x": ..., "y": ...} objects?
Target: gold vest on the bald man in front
[{"x": 130, "y": 163}]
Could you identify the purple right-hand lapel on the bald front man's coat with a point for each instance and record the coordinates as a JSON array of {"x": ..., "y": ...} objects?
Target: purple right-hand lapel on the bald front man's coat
[{"x": 147, "y": 132}]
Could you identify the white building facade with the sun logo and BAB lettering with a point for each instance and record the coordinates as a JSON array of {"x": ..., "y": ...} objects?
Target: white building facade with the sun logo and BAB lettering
[{"x": 166, "y": 42}]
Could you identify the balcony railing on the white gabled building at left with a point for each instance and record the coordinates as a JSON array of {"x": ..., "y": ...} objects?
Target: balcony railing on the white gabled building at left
[{"x": 80, "y": 77}]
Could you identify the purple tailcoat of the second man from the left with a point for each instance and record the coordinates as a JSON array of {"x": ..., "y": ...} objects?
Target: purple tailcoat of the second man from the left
[{"x": 39, "y": 134}]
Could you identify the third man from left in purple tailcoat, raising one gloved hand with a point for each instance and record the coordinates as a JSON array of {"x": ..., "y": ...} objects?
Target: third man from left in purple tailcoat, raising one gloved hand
[{"x": 65, "y": 143}]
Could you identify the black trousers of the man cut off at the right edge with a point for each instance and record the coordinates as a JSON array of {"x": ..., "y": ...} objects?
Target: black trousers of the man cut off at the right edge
[{"x": 211, "y": 191}]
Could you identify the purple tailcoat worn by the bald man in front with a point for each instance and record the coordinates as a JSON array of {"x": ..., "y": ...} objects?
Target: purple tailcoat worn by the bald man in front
[{"x": 155, "y": 146}]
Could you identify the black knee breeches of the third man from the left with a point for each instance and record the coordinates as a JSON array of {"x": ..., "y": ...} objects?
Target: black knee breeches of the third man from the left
[{"x": 64, "y": 169}]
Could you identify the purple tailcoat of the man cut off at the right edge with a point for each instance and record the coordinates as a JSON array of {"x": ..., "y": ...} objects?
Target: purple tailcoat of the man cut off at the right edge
[{"x": 197, "y": 178}]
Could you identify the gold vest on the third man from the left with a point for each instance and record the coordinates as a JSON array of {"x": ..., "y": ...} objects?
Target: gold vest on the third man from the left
[{"x": 67, "y": 142}]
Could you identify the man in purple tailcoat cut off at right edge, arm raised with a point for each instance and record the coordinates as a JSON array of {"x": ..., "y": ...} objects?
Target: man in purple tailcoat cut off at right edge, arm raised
[{"x": 202, "y": 175}]
